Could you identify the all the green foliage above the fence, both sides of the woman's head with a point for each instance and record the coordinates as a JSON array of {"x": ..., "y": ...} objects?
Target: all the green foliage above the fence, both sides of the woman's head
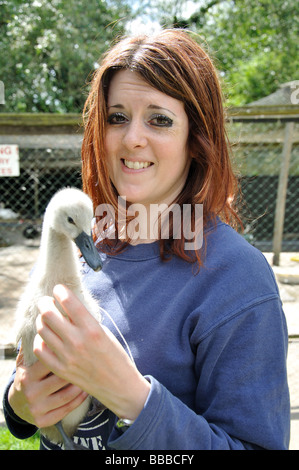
[{"x": 48, "y": 48}]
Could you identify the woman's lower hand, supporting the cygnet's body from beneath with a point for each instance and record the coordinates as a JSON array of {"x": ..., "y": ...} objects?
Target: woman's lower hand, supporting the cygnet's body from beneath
[{"x": 41, "y": 398}]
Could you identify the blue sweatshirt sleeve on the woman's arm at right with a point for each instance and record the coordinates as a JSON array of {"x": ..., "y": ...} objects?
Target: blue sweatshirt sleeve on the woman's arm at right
[{"x": 242, "y": 398}]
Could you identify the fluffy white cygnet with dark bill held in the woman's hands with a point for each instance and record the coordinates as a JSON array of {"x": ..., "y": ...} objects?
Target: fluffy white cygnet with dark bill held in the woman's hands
[{"x": 67, "y": 219}]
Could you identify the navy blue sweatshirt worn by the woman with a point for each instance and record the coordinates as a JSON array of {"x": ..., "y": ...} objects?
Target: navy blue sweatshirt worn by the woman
[{"x": 213, "y": 344}]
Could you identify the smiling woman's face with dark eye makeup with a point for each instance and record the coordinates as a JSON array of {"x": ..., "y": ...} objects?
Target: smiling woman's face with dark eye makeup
[{"x": 146, "y": 141}]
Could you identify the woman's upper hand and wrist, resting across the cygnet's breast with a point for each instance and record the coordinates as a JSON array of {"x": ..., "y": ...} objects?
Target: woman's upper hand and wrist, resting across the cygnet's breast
[{"x": 75, "y": 347}]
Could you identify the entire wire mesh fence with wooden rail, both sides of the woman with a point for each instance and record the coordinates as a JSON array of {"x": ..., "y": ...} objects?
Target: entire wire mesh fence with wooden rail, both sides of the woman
[{"x": 49, "y": 162}]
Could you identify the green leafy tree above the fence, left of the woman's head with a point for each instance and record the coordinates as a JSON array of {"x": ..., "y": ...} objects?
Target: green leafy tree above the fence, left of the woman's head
[{"x": 50, "y": 47}]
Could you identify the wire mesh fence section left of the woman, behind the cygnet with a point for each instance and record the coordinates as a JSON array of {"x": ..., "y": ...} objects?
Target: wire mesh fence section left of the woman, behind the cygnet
[{"x": 48, "y": 162}]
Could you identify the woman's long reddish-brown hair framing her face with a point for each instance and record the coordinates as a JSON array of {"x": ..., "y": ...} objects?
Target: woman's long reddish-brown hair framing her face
[{"x": 175, "y": 64}]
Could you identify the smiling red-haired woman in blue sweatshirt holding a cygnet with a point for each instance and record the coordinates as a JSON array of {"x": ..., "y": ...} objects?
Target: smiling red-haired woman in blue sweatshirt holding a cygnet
[{"x": 204, "y": 325}]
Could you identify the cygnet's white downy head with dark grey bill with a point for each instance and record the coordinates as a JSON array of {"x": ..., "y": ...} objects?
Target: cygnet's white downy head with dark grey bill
[{"x": 70, "y": 213}]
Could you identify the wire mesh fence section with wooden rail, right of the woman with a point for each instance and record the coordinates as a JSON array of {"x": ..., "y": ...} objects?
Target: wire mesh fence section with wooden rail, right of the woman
[{"x": 259, "y": 159}]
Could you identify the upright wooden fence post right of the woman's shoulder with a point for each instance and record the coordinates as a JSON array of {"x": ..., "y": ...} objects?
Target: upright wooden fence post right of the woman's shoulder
[{"x": 282, "y": 192}]
